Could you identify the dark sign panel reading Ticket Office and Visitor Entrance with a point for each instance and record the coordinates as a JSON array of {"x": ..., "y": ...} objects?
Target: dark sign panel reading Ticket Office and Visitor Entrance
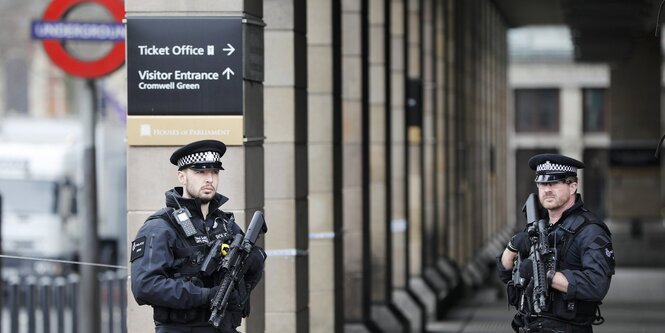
[{"x": 184, "y": 65}]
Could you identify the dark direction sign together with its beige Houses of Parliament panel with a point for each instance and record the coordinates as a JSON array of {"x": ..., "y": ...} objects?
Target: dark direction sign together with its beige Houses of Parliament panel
[{"x": 185, "y": 79}]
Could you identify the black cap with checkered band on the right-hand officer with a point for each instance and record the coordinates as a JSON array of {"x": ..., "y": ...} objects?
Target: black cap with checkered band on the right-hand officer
[{"x": 553, "y": 168}]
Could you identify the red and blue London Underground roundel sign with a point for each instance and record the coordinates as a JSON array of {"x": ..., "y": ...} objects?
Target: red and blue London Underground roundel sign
[{"x": 54, "y": 47}]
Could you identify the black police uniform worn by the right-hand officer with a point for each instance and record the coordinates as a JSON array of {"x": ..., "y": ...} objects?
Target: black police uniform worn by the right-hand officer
[{"x": 584, "y": 255}]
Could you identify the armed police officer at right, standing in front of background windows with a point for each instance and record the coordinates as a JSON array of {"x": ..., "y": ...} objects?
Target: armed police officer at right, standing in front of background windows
[{"x": 585, "y": 259}]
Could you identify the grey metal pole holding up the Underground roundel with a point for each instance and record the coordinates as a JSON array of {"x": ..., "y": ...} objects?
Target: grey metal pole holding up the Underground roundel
[{"x": 89, "y": 307}]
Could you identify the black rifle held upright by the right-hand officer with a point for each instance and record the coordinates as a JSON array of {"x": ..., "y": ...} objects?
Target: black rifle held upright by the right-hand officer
[{"x": 543, "y": 258}]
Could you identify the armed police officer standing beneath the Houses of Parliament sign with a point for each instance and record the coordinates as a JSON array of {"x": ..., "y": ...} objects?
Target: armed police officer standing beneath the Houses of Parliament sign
[{"x": 169, "y": 248}]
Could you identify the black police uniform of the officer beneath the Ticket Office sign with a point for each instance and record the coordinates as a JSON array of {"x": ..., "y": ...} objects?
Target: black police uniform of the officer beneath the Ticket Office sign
[{"x": 165, "y": 265}]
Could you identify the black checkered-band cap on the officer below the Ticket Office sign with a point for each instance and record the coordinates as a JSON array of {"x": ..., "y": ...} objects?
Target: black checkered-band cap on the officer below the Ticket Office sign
[{"x": 199, "y": 155}]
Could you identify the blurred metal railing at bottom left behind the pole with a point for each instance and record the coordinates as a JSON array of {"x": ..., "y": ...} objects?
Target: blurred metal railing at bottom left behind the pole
[{"x": 48, "y": 304}]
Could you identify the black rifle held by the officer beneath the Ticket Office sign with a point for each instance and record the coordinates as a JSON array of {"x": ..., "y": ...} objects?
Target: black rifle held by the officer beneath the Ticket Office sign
[{"x": 233, "y": 266}]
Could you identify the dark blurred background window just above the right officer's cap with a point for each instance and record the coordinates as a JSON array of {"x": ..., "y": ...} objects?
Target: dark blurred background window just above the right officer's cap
[{"x": 537, "y": 110}]
